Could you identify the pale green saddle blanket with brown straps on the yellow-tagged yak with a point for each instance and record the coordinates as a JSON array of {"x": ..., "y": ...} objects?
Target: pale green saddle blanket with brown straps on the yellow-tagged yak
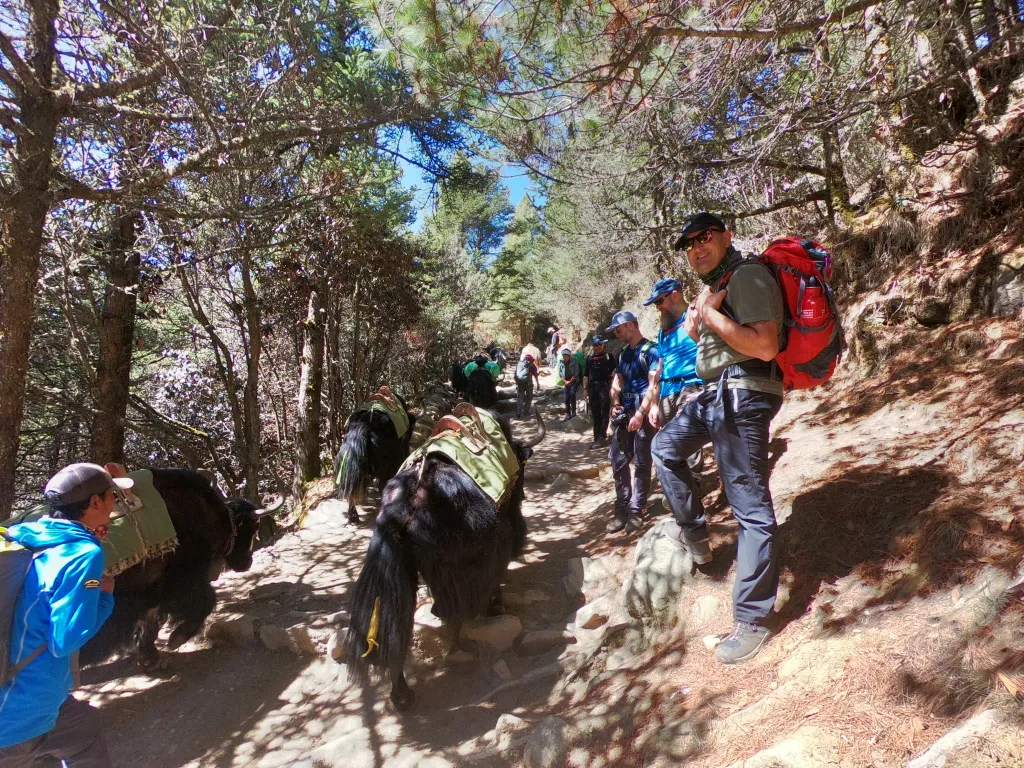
[{"x": 475, "y": 441}]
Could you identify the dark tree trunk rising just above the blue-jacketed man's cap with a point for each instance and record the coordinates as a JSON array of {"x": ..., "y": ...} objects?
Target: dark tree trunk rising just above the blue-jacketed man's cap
[{"x": 117, "y": 334}]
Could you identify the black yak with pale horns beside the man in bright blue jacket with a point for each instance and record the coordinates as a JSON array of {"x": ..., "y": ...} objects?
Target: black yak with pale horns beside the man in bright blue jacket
[{"x": 212, "y": 533}]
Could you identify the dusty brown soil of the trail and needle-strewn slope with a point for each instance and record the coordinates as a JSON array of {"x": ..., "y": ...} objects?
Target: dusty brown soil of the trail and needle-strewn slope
[{"x": 898, "y": 494}]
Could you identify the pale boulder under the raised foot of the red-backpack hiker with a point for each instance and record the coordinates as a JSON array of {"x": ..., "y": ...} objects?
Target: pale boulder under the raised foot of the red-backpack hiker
[{"x": 662, "y": 568}]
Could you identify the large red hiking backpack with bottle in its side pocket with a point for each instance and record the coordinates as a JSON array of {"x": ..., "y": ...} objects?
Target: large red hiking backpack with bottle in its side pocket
[{"x": 814, "y": 340}]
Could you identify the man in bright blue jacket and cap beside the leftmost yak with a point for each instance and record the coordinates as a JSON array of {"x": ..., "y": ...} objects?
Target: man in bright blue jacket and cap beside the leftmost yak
[{"x": 65, "y": 601}]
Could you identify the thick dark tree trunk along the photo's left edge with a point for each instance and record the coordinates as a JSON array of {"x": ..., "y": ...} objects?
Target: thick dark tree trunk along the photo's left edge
[{"x": 22, "y": 235}]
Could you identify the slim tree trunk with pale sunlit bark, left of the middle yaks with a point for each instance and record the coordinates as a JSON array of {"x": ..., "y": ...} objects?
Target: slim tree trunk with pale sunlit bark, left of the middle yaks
[{"x": 308, "y": 439}]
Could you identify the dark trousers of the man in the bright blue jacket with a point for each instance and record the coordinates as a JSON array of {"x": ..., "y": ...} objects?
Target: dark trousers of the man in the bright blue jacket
[{"x": 76, "y": 739}]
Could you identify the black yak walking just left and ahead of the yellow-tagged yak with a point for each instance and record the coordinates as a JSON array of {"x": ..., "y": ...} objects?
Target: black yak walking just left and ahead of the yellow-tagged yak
[{"x": 372, "y": 449}]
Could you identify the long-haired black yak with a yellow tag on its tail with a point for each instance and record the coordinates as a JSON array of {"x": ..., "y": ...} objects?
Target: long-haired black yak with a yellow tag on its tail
[{"x": 436, "y": 524}]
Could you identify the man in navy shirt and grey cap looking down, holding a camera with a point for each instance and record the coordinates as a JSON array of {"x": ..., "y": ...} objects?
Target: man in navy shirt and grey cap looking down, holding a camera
[{"x": 631, "y": 402}]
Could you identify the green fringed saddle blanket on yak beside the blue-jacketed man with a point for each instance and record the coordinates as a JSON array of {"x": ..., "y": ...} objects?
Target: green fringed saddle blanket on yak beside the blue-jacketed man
[{"x": 144, "y": 530}]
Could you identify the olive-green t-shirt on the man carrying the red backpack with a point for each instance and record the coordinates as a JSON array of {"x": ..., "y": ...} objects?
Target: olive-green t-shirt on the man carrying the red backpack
[{"x": 754, "y": 296}]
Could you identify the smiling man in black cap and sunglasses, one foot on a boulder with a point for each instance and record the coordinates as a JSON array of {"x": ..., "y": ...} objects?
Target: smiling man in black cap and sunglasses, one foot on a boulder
[{"x": 738, "y": 322}]
